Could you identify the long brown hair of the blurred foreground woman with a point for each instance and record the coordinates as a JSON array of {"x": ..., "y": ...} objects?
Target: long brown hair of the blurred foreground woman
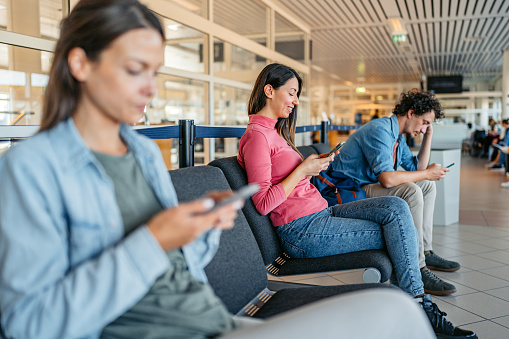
[{"x": 92, "y": 25}]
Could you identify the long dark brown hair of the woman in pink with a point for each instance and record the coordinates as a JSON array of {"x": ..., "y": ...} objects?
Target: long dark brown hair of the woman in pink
[{"x": 276, "y": 75}]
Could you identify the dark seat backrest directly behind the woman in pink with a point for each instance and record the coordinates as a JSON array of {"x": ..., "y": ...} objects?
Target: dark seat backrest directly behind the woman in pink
[{"x": 261, "y": 226}]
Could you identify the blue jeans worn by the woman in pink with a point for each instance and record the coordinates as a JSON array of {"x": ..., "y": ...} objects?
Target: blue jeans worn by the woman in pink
[{"x": 375, "y": 223}]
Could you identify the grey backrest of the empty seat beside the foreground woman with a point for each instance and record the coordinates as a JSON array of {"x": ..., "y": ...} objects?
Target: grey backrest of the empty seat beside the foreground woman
[{"x": 237, "y": 273}]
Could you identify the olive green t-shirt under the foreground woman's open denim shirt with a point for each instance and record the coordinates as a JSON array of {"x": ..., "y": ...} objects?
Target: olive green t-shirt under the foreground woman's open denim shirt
[{"x": 177, "y": 305}]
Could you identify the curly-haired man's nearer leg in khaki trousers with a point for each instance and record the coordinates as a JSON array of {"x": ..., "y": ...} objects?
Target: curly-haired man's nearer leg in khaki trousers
[{"x": 412, "y": 194}]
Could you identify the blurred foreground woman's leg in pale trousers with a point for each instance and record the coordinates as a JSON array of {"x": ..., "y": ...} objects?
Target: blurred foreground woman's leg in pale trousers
[{"x": 364, "y": 314}]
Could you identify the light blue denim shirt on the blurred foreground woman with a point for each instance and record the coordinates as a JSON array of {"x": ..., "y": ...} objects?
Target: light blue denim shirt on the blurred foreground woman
[{"x": 66, "y": 269}]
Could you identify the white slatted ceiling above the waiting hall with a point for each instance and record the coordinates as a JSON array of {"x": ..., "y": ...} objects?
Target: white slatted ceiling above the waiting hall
[{"x": 352, "y": 38}]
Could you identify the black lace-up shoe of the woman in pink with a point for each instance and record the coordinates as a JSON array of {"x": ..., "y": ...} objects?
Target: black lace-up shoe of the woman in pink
[{"x": 443, "y": 328}]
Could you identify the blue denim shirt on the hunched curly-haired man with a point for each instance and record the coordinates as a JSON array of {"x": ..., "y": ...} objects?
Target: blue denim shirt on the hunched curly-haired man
[{"x": 367, "y": 153}]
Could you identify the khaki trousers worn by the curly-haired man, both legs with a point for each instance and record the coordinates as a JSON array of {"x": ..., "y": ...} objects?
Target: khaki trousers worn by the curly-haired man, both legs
[{"x": 420, "y": 197}]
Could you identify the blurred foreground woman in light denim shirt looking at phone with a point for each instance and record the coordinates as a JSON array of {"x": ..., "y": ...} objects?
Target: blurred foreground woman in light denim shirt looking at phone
[{"x": 92, "y": 240}]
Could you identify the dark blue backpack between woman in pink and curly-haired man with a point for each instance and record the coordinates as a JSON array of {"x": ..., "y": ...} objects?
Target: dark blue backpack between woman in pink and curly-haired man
[{"x": 337, "y": 188}]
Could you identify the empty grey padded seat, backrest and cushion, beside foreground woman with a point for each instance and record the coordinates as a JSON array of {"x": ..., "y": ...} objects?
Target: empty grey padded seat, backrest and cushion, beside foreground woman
[{"x": 237, "y": 273}]
